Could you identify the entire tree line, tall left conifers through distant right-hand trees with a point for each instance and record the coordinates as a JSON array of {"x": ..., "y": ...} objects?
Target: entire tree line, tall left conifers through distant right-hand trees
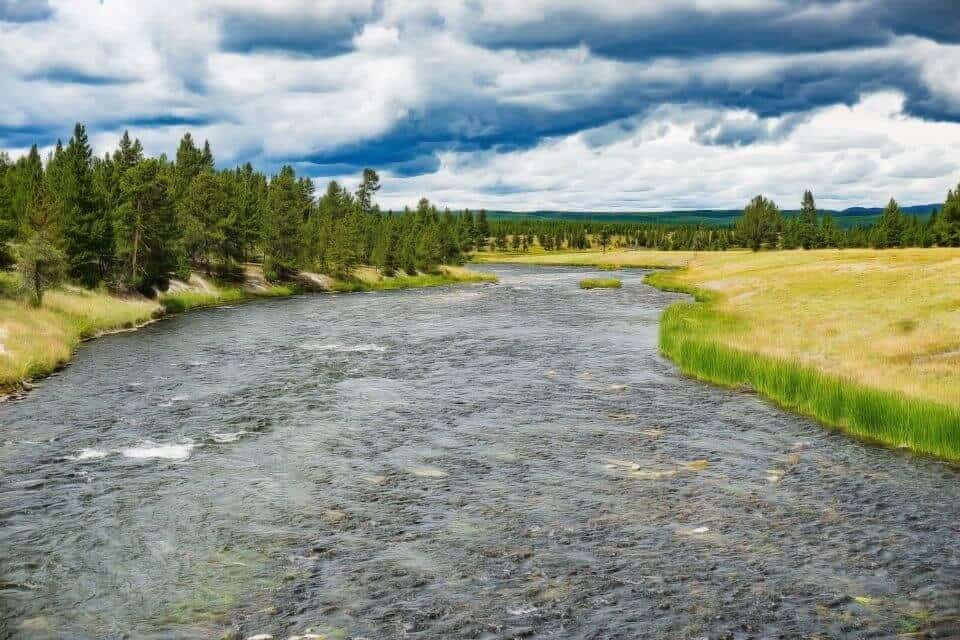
[{"x": 131, "y": 222}]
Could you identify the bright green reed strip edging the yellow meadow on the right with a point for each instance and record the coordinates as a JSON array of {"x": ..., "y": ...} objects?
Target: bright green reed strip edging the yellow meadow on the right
[{"x": 687, "y": 333}]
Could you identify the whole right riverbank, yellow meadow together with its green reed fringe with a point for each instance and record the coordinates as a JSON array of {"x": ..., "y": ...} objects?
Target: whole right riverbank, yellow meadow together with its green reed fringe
[{"x": 862, "y": 340}]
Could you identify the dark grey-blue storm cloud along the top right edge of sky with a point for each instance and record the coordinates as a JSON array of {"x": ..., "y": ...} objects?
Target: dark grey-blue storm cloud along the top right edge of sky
[{"x": 794, "y": 27}]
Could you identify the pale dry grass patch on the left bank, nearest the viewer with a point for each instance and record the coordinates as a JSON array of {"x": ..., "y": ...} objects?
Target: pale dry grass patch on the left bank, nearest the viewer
[{"x": 34, "y": 342}]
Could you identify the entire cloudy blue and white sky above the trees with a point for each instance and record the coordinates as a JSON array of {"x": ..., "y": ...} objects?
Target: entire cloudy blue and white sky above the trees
[{"x": 503, "y": 104}]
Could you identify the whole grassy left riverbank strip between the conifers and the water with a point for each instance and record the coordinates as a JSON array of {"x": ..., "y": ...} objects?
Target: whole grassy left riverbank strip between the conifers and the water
[{"x": 35, "y": 342}]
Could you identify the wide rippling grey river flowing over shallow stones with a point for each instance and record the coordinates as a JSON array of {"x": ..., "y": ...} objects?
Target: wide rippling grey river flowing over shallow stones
[{"x": 486, "y": 461}]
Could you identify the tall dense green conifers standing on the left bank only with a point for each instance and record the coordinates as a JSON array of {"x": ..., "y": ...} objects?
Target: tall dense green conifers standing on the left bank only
[{"x": 131, "y": 222}]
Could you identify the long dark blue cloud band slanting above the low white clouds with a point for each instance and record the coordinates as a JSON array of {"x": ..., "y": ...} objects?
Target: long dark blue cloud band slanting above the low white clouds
[{"x": 410, "y": 148}]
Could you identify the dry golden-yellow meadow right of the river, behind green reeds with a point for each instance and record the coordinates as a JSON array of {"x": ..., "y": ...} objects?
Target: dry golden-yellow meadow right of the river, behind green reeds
[{"x": 885, "y": 319}]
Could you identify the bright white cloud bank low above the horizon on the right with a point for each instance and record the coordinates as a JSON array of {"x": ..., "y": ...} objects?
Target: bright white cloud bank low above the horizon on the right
[{"x": 660, "y": 162}]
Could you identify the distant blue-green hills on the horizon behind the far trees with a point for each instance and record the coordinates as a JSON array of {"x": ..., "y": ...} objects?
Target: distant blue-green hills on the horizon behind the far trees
[{"x": 850, "y": 217}]
